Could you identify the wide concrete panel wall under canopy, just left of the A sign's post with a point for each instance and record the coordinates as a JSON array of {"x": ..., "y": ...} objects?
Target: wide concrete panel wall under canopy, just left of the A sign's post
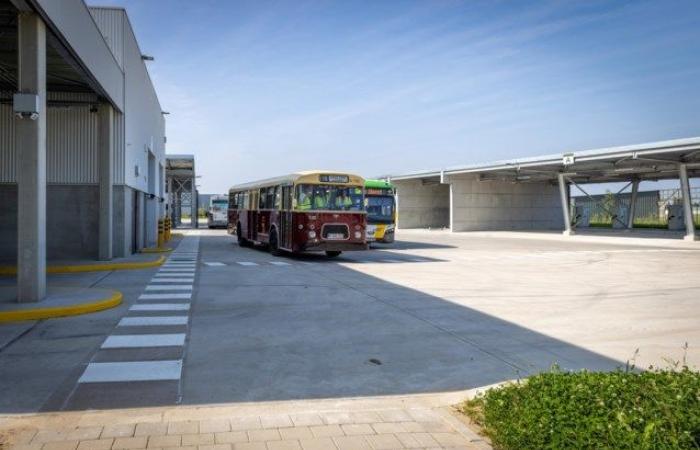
[{"x": 497, "y": 205}]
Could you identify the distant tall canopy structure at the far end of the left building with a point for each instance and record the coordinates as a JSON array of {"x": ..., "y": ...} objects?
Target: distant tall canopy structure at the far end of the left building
[{"x": 180, "y": 181}]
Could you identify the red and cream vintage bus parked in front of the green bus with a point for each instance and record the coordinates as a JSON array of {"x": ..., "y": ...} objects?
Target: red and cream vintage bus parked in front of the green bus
[{"x": 301, "y": 212}]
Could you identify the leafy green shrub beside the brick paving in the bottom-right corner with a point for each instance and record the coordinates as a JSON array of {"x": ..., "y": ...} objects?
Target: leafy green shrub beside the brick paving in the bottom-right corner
[{"x": 657, "y": 409}]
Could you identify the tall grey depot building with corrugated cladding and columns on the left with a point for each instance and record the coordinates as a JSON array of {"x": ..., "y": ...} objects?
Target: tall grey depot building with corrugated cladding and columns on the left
[{"x": 82, "y": 138}]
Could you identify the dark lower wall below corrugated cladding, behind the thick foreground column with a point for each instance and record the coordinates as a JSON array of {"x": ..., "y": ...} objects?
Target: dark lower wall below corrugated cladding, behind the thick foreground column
[{"x": 71, "y": 222}]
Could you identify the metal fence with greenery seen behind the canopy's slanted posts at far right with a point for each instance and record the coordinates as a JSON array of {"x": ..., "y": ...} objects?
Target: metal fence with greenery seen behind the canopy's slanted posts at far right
[{"x": 650, "y": 205}]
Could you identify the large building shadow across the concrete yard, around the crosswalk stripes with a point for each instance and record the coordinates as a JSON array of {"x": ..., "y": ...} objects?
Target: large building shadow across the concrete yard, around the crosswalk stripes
[{"x": 299, "y": 331}]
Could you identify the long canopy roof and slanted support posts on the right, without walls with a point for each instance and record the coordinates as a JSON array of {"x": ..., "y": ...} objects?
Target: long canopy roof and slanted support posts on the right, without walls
[{"x": 664, "y": 160}]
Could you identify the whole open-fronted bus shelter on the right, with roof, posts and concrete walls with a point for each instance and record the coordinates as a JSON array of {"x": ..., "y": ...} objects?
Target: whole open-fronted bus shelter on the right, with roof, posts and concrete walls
[{"x": 535, "y": 193}]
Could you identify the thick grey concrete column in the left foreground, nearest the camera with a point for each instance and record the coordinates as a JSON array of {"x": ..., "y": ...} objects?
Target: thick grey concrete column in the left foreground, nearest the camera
[{"x": 31, "y": 153}]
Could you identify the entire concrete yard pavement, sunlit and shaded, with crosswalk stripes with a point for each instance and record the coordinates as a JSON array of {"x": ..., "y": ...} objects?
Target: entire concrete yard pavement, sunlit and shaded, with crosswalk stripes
[{"x": 408, "y": 326}]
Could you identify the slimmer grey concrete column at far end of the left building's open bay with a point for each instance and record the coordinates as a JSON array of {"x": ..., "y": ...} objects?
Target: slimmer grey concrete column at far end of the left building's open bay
[{"x": 106, "y": 151}]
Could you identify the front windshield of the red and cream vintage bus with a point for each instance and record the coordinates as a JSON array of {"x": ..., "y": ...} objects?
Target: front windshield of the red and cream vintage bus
[{"x": 314, "y": 197}]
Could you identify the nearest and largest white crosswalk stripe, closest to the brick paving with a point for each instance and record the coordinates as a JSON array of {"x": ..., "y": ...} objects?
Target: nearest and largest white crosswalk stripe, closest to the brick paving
[{"x": 132, "y": 371}]
